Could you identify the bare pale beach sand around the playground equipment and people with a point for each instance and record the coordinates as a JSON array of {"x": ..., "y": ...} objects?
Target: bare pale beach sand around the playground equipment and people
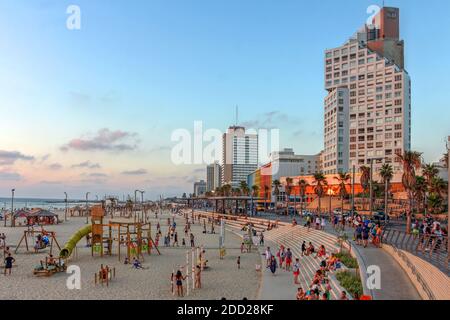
[{"x": 222, "y": 279}]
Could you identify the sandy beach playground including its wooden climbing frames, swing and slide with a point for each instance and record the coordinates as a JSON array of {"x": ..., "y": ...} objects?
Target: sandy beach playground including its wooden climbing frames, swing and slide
[{"x": 114, "y": 240}]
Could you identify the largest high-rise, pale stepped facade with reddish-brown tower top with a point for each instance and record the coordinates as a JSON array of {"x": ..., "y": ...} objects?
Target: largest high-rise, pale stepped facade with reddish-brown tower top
[{"x": 368, "y": 106}]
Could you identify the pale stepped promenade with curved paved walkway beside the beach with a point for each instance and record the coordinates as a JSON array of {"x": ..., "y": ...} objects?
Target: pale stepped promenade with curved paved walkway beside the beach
[{"x": 395, "y": 283}]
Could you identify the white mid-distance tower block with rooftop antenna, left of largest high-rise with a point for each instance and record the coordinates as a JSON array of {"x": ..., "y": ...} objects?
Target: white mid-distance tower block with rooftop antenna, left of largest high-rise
[{"x": 239, "y": 155}]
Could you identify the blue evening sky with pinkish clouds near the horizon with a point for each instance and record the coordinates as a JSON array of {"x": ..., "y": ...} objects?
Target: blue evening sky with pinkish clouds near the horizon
[{"x": 94, "y": 109}]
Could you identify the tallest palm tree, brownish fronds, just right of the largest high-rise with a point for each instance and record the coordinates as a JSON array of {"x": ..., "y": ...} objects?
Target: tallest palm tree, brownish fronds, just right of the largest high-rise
[{"x": 411, "y": 161}]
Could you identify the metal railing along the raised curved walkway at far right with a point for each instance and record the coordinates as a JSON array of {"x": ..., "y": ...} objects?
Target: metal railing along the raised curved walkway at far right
[{"x": 430, "y": 247}]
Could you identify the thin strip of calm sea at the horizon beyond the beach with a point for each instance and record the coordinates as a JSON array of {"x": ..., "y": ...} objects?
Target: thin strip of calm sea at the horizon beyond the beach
[{"x": 5, "y": 203}]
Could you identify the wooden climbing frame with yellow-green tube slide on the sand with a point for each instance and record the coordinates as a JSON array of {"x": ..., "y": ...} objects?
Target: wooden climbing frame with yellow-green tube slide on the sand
[{"x": 136, "y": 236}]
